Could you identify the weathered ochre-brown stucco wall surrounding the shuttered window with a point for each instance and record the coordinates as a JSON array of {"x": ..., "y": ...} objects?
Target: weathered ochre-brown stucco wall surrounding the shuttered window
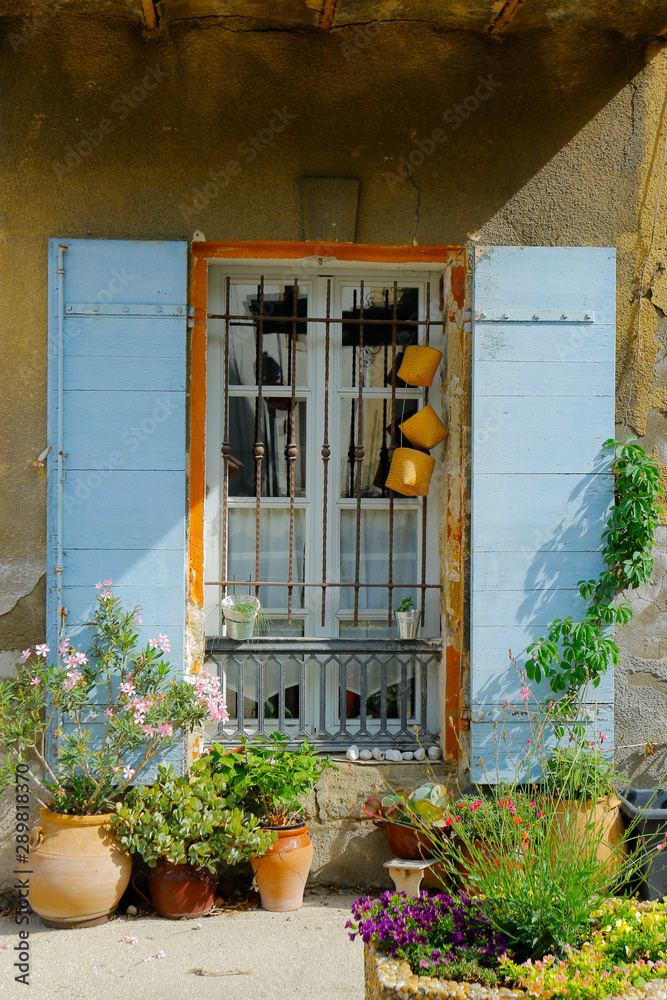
[{"x": 107, "y": 133}]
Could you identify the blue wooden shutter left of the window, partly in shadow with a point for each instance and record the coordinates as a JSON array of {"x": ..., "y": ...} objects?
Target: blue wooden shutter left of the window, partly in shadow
[{"x": 117, "y": 360}]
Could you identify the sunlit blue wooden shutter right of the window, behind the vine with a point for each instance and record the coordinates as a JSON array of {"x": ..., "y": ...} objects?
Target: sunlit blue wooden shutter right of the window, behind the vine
[{"x": 543, "y": 404}]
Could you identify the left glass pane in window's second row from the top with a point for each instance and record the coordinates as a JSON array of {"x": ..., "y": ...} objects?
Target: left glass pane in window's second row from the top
[{"x": 276, "y": 435}]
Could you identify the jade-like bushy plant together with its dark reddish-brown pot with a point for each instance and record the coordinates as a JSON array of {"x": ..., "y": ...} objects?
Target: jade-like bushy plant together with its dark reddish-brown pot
[{"x": 182, "y": 827}]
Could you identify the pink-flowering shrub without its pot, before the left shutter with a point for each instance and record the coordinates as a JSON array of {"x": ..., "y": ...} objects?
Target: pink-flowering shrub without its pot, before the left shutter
[{"x": 110, "y": 711}]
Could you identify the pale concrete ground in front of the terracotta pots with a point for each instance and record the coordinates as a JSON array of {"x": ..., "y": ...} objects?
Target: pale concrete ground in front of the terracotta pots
[{"x": 276, "y": 956}]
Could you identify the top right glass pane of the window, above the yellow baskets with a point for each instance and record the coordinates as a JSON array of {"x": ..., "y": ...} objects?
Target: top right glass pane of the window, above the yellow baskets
[{"x": 378, "y": 305}]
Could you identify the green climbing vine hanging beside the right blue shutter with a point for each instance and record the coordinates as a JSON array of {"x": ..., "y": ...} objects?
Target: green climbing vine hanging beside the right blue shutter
[{"x": 576, "y": 653}]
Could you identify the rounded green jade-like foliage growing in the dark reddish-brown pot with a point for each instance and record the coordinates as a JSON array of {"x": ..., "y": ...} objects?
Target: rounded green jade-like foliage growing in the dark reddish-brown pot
[{"x": 187, "y": 821}]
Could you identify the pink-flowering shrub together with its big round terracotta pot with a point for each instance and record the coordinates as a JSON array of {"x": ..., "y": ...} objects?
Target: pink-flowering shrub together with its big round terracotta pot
[{"x": 138, "y": 710}]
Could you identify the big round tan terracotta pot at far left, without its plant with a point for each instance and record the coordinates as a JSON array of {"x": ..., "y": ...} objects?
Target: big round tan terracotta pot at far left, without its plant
[{"x": 79, "y": 871}]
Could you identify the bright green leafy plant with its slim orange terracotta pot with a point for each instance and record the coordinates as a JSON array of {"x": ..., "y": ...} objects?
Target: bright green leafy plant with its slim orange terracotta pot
[{"x": 272, "y": 781}]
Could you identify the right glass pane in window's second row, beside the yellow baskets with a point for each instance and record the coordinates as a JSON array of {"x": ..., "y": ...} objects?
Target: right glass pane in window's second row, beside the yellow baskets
[{"x": 376, "y": 436}]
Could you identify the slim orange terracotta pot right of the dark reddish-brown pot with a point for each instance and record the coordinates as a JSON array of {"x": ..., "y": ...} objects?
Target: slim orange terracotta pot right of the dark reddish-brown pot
[{"x": 281, "y": 873}]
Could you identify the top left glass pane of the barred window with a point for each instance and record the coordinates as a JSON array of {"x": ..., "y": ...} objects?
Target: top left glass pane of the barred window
[{"x": 276, "y": 335}]
